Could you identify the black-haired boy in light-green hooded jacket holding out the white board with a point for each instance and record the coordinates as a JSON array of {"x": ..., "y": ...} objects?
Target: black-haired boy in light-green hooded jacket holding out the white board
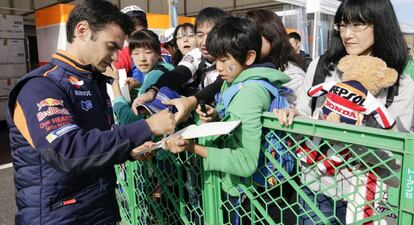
[{"x": 236, "y": 45}]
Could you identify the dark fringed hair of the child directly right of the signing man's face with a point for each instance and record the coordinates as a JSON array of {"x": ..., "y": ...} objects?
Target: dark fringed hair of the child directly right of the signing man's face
[{"x": 144, "y": 39}]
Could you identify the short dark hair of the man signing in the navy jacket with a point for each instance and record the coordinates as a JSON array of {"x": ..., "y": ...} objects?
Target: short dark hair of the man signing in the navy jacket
[{"x": 98, "y": 14}]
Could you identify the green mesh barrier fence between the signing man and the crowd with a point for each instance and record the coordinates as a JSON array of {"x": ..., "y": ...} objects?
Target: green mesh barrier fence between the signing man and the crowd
[{"x": 373, "y": 184}]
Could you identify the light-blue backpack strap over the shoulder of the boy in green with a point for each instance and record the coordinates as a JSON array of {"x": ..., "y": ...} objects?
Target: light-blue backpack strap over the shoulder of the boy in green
[{"x": 234, "y": 89}]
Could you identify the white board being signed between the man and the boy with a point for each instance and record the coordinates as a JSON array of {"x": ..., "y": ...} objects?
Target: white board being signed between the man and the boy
[{"x": 202, "y": 130}]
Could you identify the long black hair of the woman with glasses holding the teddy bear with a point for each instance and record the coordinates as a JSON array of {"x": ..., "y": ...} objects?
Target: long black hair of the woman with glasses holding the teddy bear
[{"x": 389, "y": 43}]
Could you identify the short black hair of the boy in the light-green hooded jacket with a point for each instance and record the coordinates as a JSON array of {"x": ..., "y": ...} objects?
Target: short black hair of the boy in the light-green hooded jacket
[{"x": 235, "y": 36}]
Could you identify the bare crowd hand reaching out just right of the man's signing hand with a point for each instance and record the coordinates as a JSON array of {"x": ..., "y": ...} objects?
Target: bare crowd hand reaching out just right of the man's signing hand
[{"x": 184, "y": 107}]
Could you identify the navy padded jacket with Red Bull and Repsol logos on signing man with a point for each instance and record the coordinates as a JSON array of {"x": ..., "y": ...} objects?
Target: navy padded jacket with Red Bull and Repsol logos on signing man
[{"x": 64, "y": 145}]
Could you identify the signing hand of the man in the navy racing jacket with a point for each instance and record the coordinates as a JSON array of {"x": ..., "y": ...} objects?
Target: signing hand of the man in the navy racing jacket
[{"x": 161, "y": 123}]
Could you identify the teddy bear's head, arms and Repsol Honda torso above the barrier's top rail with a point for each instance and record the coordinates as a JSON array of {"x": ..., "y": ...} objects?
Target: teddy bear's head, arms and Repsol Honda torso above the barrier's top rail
[{"x": 352, "y": 98}]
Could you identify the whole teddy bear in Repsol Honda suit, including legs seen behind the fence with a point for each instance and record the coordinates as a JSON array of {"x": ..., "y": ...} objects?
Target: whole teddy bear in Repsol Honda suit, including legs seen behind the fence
[{"x": 350, "y": 101}]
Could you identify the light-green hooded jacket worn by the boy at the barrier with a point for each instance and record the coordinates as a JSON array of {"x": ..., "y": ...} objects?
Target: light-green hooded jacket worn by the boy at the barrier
[{"x": 237, "y": 155}]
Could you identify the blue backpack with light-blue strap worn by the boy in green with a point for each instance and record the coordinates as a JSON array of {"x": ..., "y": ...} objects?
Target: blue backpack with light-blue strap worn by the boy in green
[{"x": 274, "y": 142}]
